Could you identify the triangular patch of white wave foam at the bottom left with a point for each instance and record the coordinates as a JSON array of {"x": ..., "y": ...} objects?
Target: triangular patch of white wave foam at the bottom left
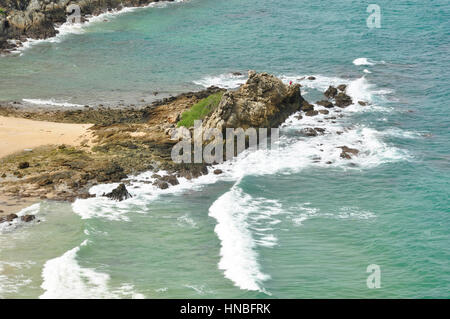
[{"x": 64, "y": 278}]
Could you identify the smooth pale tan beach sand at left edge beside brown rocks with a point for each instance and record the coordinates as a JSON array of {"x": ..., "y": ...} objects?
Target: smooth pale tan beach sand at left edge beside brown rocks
[{"x": 17, "y": 134}]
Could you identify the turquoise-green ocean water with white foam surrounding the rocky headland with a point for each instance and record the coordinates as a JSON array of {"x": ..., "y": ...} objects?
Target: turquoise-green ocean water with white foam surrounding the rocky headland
[{"x": 276, "y": 224}]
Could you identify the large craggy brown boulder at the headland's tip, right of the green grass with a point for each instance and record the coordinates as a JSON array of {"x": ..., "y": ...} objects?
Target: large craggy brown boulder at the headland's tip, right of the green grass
[{"x": 264, "y": 101}]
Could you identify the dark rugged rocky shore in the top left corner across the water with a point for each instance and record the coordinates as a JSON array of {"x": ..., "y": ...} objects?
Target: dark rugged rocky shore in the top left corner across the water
[{"x": 38, "y": 19}]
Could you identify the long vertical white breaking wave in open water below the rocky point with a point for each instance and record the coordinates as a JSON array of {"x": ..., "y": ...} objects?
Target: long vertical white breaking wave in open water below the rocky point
[{"x": 238, "y": 217}]
